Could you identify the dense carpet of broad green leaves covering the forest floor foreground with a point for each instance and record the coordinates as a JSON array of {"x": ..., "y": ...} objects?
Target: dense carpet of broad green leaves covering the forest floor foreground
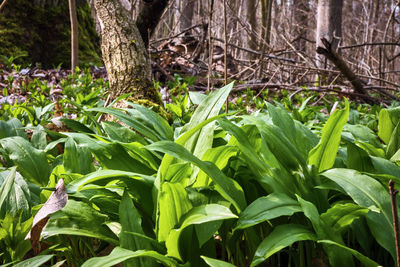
[{"x": 286, "y": 185}]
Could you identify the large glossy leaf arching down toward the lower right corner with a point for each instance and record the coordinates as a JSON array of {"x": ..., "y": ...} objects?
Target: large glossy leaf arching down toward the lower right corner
[{"x": 367, "y": 192}]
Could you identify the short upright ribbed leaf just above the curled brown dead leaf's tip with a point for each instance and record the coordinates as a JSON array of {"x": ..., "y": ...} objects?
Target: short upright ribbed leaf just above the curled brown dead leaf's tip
[{"x": 77, "y": 158}]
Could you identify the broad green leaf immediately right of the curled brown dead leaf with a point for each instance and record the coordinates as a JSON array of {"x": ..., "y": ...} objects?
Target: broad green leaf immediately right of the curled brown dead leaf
[{"x": 78, "y": 218}]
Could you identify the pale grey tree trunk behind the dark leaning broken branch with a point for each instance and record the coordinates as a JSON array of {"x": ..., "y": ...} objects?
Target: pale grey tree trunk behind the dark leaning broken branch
[{"x": 329, "y": 25}]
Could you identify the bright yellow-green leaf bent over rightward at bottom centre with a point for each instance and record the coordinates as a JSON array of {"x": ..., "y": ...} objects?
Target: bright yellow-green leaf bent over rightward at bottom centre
[{"x": 198, "y": 215}]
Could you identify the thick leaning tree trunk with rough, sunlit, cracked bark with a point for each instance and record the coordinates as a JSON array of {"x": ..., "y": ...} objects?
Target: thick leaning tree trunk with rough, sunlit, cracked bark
[{"x": 124, "y": 53}]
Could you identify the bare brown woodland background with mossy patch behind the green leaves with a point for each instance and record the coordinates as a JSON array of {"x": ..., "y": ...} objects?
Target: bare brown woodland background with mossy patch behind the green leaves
[{"x": 269, "y": 44}]
